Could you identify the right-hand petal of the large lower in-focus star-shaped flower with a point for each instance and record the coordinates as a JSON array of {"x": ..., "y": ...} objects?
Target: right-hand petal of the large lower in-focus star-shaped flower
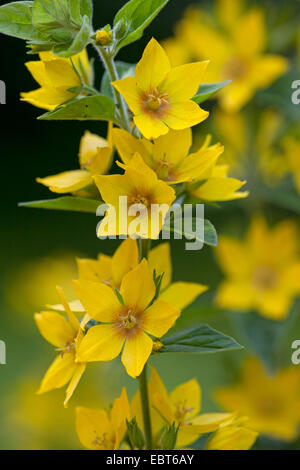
[{"x": 159, "y": 318}]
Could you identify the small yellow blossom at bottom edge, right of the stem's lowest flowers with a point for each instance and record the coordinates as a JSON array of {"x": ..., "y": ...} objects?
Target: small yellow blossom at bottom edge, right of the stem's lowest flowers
[{"x": 232, "y": 434}]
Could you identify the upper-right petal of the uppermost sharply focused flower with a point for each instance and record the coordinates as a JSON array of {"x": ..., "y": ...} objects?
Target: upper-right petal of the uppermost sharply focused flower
[{"x": 182, "y": 82}]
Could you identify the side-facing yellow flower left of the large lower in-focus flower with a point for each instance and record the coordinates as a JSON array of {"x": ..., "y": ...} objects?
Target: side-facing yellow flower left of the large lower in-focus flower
[{"x": 66, "y": 336}]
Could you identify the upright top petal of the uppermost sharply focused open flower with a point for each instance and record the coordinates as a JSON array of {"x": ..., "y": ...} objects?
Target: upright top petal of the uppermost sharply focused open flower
[{"x": 152, "y": 68}]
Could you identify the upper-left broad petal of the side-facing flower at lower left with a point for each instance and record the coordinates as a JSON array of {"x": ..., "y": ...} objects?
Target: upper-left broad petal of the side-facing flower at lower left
[{"x": 54, "y": 328}]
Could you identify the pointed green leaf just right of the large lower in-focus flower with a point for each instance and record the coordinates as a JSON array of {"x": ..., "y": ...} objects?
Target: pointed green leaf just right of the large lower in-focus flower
[{"x": 200, "y": 339}]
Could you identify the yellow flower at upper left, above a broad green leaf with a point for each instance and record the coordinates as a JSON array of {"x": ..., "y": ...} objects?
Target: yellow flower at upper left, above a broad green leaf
[{"x": 56, "y": 76}]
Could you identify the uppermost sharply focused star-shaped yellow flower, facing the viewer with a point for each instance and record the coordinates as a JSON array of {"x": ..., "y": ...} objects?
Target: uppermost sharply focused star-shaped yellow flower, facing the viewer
[{"x": 160, "y": 96}]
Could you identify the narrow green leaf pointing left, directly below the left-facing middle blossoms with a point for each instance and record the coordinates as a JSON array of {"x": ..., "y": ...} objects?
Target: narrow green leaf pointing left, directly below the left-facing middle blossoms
[{"x": 66, "y": 203}]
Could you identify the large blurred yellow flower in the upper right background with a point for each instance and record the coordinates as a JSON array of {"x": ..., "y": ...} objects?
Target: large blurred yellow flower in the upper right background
[{"x": 236, "y": 52}]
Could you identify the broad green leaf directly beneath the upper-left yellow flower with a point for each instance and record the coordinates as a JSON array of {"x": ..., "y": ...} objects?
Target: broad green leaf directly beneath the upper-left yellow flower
[{"x": 91, "y": 108}]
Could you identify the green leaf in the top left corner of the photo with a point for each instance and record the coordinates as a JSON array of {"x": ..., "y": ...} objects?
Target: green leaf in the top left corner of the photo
[{"x": 16, "y": 21}]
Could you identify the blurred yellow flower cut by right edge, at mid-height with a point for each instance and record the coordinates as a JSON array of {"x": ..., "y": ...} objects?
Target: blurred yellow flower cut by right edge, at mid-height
[{"x": 262, "y": 271}]
